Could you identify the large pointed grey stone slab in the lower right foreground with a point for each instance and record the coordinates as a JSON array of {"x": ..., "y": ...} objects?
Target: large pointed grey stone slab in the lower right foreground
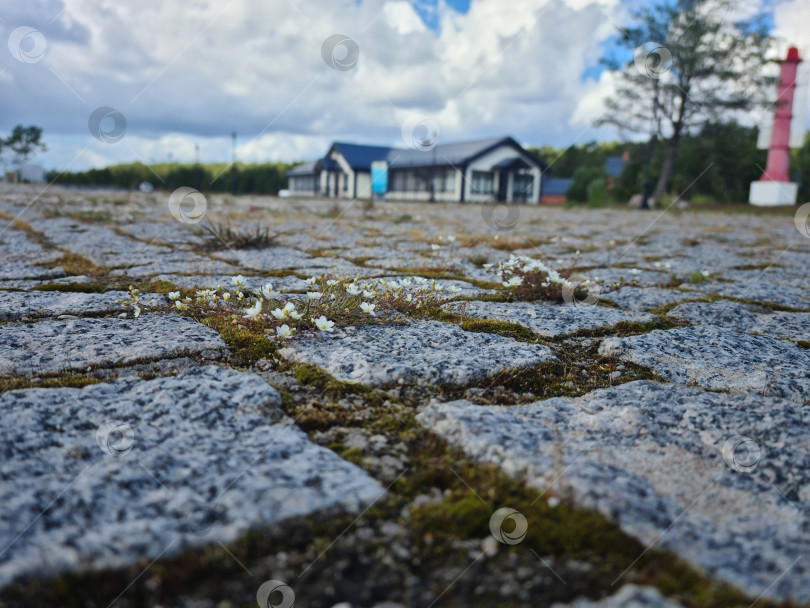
[{"x": 721, "y": 480}]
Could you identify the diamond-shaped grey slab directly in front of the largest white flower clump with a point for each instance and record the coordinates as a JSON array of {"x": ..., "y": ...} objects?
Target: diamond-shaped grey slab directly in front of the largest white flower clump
[{"x": 422, "y": 352}]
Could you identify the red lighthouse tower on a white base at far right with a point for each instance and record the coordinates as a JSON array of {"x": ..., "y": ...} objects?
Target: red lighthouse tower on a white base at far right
[{"x": 774, "y": 187}]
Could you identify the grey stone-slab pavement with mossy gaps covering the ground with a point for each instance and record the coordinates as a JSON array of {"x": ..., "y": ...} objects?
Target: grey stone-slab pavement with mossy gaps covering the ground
[{"x": 129, "y": 440}]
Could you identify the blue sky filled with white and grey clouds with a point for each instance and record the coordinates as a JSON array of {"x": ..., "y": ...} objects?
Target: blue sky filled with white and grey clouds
[{"x": 290, "y": 76}]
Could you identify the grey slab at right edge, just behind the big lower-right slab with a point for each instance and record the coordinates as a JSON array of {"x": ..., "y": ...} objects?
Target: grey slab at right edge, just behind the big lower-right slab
[{"x": 720, "y": 359}]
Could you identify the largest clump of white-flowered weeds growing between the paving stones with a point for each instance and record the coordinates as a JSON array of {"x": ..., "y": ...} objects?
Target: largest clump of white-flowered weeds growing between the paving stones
[{"x": 330, "y": 303}]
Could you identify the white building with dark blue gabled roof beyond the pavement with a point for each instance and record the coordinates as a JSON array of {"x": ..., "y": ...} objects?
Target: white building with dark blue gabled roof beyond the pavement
[{"x": 479, "y": 171}]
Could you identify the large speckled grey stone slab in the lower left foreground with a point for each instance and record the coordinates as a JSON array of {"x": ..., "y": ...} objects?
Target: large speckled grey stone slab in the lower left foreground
[{"x": 182, "y": 461}]
